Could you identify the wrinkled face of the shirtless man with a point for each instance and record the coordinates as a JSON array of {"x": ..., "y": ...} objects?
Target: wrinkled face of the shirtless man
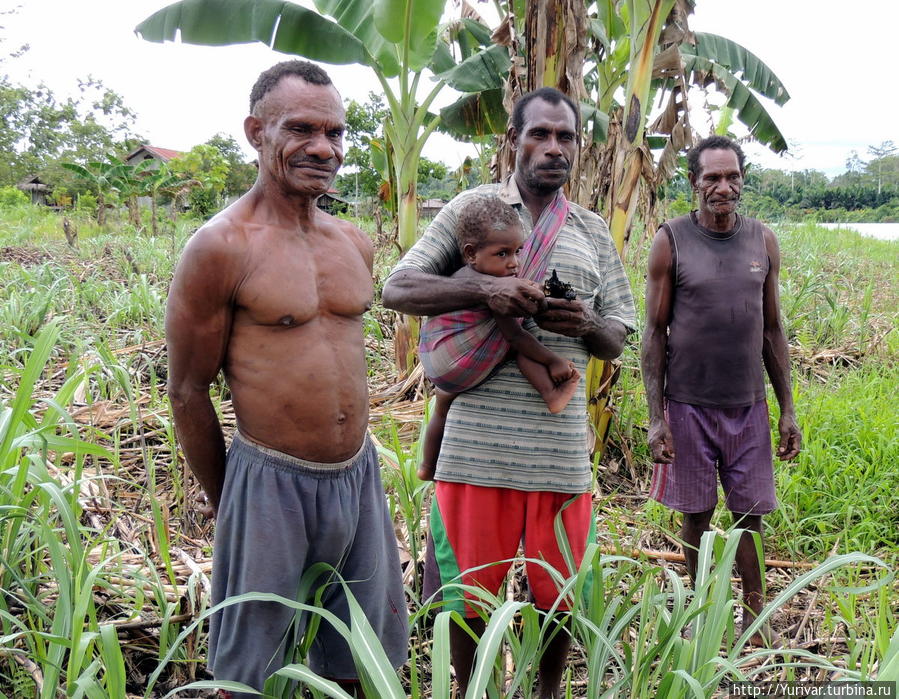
[{"x": 299, "y": 135}]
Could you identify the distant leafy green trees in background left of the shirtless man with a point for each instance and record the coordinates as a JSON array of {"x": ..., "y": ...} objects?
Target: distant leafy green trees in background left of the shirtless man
[{"x": 77, "y": 146}]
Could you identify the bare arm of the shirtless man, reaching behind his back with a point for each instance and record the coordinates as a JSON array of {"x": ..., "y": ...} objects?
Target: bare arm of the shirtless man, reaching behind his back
[{"x": 198, "y": 324}]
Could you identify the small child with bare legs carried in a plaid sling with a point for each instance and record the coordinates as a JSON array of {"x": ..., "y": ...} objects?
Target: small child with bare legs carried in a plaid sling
[{"x": 490, "y": 239}]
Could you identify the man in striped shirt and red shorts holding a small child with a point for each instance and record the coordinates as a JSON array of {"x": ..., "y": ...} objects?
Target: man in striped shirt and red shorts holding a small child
[{"x": 507, "y": 464}]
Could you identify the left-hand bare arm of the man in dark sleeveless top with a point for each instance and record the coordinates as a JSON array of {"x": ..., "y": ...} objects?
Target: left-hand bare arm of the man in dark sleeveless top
[{"x": 653, "y": 356}]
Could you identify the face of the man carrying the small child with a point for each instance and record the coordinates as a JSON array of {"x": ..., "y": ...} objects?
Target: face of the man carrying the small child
[{"x": 546, "y": 147}]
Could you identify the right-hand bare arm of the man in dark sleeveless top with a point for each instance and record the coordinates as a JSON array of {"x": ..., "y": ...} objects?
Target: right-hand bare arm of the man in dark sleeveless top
[{"x": 776, "y": 354}]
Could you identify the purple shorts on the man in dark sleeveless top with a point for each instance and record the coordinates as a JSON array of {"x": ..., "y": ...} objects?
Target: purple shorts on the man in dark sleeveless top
[{"x": 731, "y": 443}]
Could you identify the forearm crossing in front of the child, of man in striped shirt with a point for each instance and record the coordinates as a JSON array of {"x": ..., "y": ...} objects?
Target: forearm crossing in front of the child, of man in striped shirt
[{"x": 420, "y": 293}]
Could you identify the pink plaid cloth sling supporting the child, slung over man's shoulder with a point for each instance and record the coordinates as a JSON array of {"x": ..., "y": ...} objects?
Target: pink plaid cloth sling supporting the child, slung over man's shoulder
[{"x": 459, "y": 350}]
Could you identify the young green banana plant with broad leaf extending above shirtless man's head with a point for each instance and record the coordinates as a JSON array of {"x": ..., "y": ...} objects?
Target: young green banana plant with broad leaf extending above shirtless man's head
[{"x": 395, "y": 38}]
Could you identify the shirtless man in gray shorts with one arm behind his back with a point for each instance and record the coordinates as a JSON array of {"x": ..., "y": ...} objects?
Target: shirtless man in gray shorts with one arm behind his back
[{"x": 272, "y": 291}]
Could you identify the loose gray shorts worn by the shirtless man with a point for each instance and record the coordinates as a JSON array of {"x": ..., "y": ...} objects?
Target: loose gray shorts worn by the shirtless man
[{"x": 278, "y": 516}]
